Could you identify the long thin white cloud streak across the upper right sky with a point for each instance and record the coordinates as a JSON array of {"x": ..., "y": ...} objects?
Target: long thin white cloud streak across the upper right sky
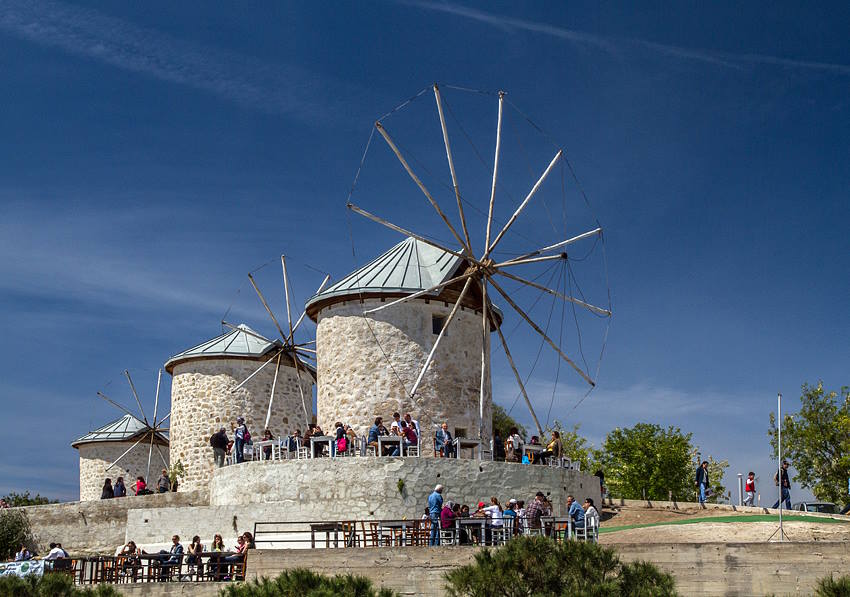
[{"x": 615, "y": 45}]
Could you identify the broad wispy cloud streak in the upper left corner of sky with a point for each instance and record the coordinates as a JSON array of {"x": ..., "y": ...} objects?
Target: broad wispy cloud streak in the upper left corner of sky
[{"x": 276, "y": 89}]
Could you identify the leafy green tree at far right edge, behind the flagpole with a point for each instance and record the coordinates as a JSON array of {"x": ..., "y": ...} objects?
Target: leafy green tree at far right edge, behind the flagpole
[{"x": 816, "y": 440}]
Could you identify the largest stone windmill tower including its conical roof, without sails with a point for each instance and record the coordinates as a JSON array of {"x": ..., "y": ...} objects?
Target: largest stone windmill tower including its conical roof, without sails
[{"x": 366, "y": 366}]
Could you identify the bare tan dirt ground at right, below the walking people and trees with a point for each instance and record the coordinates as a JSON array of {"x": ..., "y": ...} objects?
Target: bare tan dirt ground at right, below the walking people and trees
[{"x": 708, "y": 532}]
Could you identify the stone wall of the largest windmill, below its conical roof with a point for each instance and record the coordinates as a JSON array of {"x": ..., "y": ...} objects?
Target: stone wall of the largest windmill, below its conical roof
[{"x": 356, "y": 383}]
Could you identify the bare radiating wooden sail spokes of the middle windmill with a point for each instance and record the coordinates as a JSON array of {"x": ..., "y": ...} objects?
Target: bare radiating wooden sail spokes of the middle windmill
[{"x": 285, "y": 346}]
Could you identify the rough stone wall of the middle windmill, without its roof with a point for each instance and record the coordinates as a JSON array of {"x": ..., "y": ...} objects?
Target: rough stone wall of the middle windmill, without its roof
[{"x": 202, "y": 402}]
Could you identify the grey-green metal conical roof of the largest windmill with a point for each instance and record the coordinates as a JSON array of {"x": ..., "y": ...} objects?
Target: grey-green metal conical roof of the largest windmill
[{"x": 408, "y": 267}]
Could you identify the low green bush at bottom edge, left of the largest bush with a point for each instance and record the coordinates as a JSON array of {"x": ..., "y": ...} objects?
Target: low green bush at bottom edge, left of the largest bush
[{"x": 301, "y": 582}]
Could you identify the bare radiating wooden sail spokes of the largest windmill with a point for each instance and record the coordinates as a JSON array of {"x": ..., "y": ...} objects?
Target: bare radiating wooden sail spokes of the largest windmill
[{"x": 484, "y": 271}]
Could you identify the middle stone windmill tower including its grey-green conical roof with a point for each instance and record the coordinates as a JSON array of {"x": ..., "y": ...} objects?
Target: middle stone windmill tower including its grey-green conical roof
[{"x": 239, "y": 373}]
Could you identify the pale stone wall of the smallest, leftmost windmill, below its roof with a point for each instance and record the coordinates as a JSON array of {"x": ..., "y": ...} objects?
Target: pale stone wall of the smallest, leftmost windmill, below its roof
[{"x": 95, "y": 457}]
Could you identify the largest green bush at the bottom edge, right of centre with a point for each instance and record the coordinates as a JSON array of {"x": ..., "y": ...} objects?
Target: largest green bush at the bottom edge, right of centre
[{"x": 538, "y": 566}]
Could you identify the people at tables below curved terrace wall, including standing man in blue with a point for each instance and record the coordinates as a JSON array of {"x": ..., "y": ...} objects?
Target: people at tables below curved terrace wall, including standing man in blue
[{"x": 514, "y": 514}]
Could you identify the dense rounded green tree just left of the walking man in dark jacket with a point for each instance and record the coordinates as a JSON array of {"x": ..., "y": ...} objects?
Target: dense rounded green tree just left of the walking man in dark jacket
[{"x": 648, "y": 462}]
